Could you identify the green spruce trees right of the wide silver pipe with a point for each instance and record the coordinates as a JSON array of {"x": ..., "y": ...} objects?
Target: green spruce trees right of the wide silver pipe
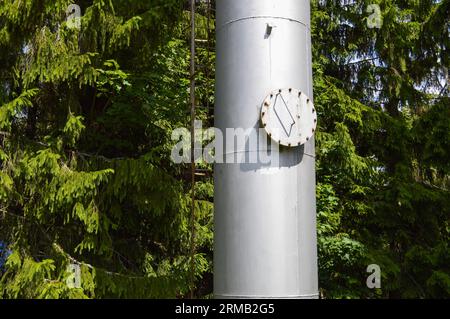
[{"x": 383, "y": 142}]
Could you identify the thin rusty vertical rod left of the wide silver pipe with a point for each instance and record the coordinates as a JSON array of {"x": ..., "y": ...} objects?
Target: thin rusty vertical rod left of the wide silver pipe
[{"x": 192, "y": 98}]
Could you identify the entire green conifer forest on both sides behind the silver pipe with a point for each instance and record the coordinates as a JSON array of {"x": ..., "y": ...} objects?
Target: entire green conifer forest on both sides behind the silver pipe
[{"x": 86, "y": 179}]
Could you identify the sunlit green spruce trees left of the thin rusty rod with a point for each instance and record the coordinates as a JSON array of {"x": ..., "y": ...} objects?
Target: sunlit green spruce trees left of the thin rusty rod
[{"x": 86, "y": 179}]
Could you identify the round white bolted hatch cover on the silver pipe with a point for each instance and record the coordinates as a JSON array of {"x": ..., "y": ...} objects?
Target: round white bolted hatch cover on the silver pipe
[{"x": 289, "y": 117}]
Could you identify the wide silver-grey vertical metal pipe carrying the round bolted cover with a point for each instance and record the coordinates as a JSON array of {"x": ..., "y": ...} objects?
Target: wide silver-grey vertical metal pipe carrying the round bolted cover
[{"x": 265, "y": 225}]
